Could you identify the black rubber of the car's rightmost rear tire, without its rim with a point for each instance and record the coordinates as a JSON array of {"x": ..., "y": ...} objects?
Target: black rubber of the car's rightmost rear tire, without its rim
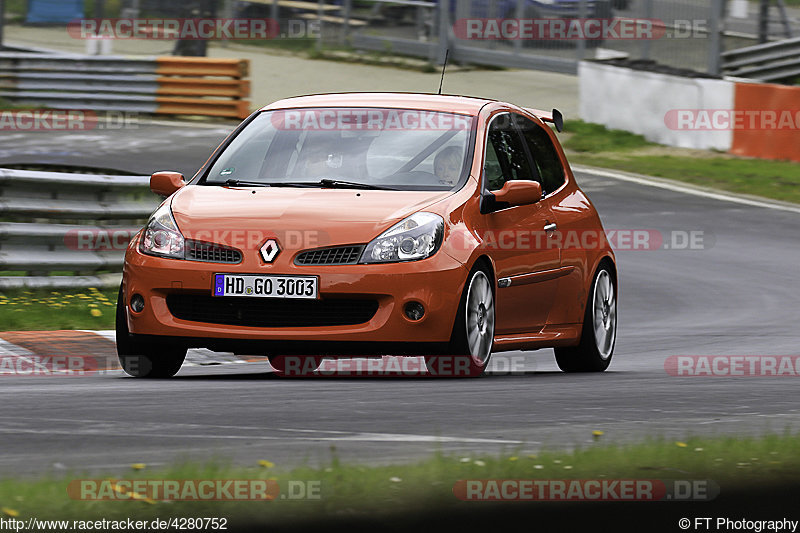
[{"x": 588, "y": 356}]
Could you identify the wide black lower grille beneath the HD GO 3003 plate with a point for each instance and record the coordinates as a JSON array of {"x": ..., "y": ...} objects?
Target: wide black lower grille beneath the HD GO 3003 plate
[{"x": 270, "y": 313}]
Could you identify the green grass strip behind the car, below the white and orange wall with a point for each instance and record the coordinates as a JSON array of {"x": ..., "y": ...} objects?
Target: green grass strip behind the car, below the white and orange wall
[{"x": 592, "y": 144}]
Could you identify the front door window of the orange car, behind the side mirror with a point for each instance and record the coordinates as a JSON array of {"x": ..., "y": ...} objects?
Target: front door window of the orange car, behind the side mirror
[{"x": 505, "y": 154}]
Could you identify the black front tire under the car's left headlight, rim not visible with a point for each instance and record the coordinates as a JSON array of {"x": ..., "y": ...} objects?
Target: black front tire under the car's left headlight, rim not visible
[{"x": 142, "y": 359}]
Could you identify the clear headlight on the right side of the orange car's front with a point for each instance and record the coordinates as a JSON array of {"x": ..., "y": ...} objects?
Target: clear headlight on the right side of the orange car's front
[{"x": 416, "y": 237}]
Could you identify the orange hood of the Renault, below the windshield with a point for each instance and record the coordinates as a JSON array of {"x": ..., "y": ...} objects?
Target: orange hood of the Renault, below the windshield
[{"x": 299, "y": 217}]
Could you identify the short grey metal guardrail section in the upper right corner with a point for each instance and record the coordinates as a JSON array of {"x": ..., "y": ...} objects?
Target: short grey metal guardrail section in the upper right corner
[{"x": 774, "y": 61}]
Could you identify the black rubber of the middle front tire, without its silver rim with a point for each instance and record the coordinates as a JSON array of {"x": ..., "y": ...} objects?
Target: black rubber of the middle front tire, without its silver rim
[{"x": 464, "y": 360}]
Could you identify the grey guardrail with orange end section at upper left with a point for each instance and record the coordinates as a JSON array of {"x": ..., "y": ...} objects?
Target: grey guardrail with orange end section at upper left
[{"x": 155, "y": 85}]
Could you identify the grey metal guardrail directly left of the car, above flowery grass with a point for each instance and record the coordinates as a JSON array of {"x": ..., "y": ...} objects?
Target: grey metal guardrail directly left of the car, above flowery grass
[{"x": 58, "y": 222}]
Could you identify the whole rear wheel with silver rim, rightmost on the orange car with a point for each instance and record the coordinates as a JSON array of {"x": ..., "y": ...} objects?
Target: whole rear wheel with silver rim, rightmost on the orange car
[{"x": 599, "y": 333}]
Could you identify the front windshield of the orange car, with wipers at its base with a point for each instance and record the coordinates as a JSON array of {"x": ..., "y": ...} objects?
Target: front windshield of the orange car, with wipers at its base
[{"x": 347, "y": 147}]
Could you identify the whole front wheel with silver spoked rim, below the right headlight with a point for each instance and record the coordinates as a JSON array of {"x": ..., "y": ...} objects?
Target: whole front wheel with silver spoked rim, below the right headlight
[{"x": 473, "y": 333}]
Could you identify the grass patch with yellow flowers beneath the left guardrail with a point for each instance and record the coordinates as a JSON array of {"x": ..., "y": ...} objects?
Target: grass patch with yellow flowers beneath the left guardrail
[{"x": 45, "y": 309}]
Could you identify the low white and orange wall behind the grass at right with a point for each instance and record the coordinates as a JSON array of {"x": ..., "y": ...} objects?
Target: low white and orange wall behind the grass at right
[{"x": 744, "y": 118}]
